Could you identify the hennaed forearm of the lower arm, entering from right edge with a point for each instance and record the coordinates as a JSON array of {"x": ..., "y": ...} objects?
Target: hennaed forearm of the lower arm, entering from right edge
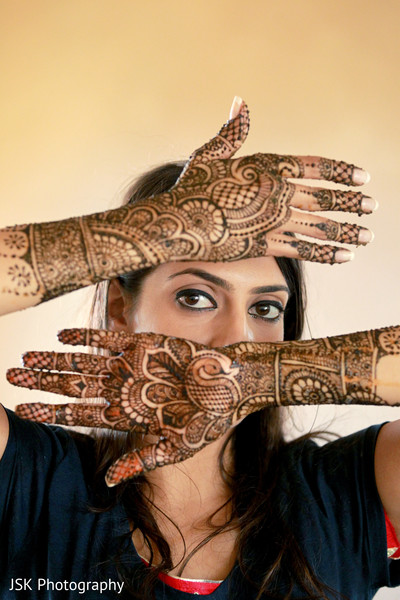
[{"x": 359, "y": 368}]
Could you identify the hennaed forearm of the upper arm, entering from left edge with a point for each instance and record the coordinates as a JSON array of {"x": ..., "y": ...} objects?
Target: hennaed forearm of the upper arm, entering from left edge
[{"x": 41, "y": 261}]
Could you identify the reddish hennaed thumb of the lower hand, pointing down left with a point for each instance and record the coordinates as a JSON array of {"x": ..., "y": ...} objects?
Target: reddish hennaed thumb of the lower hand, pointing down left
[{"x": 148, "y": 458}]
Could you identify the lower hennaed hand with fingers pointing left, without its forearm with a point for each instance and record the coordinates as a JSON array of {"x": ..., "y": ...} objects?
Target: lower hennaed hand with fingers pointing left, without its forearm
[{"x": 184, "y": 393}]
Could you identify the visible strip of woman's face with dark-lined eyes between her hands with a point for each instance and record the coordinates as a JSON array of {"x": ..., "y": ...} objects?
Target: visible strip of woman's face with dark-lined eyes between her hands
[{"x": 215, "y": 304}]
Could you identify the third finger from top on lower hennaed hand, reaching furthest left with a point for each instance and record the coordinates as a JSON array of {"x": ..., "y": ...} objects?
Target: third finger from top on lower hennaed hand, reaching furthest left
[{"x": 75, "y": 386}]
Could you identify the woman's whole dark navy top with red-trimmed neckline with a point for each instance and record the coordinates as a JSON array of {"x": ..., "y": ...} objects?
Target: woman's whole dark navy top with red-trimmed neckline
[{"x": 53, "y": 547}]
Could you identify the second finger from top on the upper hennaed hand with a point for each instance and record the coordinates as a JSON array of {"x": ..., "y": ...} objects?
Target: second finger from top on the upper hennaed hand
[{"x": 313, "y": 199}]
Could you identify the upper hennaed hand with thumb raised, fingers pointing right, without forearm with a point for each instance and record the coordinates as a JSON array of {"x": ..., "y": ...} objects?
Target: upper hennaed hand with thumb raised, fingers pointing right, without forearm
[{"x": 225, "y": 209}]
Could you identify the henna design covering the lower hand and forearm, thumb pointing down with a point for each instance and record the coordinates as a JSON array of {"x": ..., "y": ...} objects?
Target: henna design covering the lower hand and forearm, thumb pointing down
[{"x": 188, "y": 394}]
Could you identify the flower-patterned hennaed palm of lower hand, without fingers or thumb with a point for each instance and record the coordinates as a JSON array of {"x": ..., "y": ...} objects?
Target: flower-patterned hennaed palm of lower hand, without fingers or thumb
[{"x": 170, "y": 385}]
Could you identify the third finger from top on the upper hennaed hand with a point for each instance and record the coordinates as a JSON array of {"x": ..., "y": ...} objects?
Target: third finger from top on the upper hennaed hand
[{"x": 326, "y": 229}]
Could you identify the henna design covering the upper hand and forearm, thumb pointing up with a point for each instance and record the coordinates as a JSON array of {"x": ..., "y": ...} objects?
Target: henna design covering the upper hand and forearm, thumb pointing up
[{"x": 221, "y": 209}]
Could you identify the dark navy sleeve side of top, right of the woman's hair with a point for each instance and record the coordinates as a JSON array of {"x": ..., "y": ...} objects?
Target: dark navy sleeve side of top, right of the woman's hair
[{"x": 334, "y": 507}]
